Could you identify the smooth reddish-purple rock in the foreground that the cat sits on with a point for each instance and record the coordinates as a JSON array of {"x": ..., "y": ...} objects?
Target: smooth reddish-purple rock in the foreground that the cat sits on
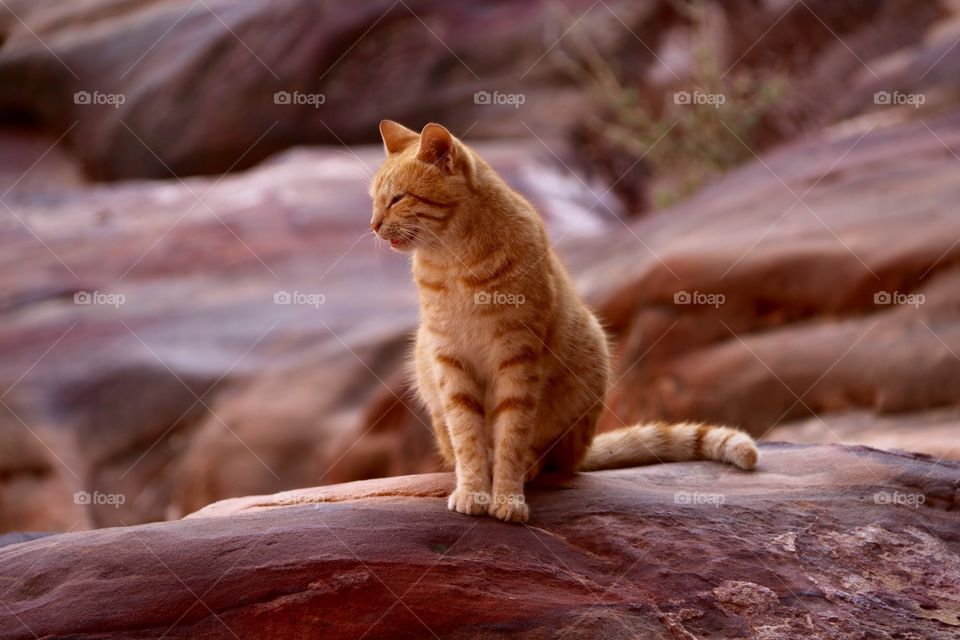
[{"x": 822, "y": 541}]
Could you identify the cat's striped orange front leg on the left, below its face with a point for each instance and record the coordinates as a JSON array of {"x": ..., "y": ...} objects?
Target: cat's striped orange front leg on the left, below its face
[{"x": 464, "y": 416}]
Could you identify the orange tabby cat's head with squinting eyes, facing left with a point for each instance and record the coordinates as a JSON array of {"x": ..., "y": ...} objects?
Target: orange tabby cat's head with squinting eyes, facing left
[{"x": 416, "y": 191}]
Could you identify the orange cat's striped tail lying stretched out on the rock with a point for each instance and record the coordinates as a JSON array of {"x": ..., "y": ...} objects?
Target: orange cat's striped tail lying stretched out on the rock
[{"x": 651, "y": 443}]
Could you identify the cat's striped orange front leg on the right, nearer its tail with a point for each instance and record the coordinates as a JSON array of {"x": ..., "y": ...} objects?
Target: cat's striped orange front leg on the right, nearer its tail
[{"x": 516, "y": 394}]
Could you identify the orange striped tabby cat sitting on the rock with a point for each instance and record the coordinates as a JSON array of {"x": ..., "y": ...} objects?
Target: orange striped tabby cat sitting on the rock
[{"x": 511, "y": 365}]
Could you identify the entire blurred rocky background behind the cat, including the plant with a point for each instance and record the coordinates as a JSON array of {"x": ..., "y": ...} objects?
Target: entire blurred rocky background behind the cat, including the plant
[{"x": 192, "y": 307}]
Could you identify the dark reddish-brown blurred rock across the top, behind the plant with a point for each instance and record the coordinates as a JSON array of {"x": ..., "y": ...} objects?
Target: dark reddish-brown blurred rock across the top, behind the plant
[{"x": 117, "y": 78}]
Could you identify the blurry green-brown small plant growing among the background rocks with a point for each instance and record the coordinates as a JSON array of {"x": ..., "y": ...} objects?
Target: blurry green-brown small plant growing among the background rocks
[{"x": 710, "y": 123}]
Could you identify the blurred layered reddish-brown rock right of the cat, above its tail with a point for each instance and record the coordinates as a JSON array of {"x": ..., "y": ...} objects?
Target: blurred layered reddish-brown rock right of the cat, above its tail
[{"x": 747, "y": 306}]
